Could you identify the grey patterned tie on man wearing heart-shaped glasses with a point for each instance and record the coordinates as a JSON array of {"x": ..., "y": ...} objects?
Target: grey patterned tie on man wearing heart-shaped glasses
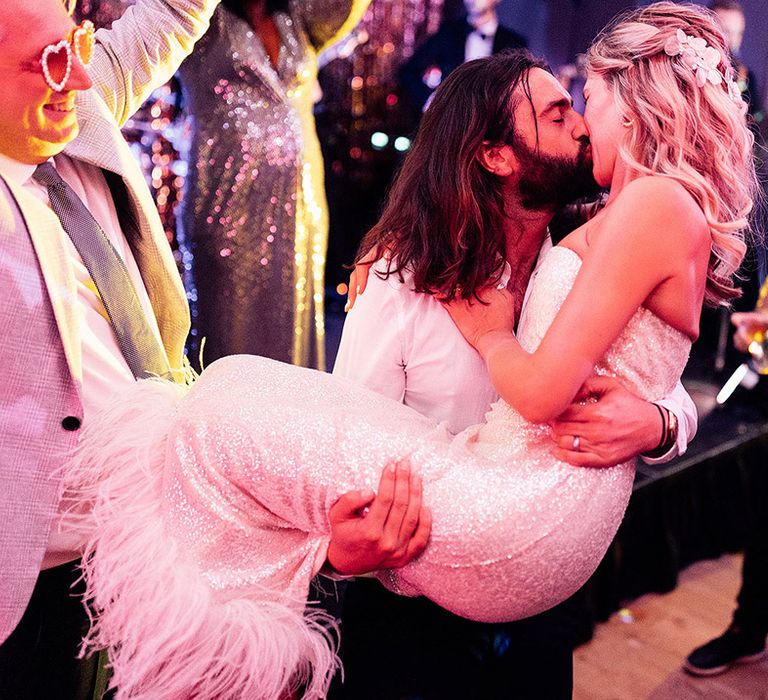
[{"x": 137, "y": 342}]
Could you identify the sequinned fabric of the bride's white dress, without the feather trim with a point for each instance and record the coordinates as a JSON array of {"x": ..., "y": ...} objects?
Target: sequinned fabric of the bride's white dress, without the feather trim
[{"x": 515, "y": 531}]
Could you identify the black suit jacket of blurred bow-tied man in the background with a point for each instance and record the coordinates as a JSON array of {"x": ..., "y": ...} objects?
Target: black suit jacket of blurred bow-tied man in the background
[{"x": 445, "y": 50}]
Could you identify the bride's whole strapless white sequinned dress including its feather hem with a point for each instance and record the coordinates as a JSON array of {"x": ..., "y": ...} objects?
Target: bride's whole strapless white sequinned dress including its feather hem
[{"x": 211, "y": 509}]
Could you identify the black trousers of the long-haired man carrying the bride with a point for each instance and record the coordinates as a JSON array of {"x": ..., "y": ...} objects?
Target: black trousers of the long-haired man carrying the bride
[{"x": 396, "y": 648}]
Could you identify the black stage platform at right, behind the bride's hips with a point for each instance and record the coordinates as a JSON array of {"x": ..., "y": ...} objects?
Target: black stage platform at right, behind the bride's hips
[{"x": 696, "y": 507}]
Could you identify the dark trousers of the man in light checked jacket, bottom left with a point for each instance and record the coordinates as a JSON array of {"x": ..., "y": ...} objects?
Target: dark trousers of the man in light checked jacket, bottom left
[{"x": 39, "y": 660}]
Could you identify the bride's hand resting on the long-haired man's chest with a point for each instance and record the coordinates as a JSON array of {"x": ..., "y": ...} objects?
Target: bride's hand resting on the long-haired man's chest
[{"x": 477, "y": 320}]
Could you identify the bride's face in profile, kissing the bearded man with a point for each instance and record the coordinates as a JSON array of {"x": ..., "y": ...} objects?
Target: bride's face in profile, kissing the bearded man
[{"x": 605, "y": 127}]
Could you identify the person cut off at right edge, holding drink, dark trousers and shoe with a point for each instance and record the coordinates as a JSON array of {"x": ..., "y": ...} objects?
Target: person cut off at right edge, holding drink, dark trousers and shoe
[{"x": 744, "y": 640}]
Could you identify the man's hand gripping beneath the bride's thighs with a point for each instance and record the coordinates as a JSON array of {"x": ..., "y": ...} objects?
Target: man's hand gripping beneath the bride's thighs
[{"x": 385, "y": 531}]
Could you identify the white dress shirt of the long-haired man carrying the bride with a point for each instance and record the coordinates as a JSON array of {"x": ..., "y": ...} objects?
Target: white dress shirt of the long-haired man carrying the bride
[{"x": 404, "y": 345}]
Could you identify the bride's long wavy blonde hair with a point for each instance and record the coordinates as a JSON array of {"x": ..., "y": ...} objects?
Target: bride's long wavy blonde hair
[{"x": 695, "y": 135}]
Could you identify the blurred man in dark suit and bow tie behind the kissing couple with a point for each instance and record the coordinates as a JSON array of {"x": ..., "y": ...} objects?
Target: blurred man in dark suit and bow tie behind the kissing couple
[{"x": 477, "y": 35}]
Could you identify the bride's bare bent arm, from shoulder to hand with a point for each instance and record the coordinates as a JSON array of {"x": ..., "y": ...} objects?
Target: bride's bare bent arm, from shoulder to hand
[{"x": 650, "y": 234}]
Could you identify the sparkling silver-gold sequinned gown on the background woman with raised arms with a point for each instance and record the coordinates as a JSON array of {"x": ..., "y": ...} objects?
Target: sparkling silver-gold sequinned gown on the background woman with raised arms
[{"x": 254, "y": 220}]
